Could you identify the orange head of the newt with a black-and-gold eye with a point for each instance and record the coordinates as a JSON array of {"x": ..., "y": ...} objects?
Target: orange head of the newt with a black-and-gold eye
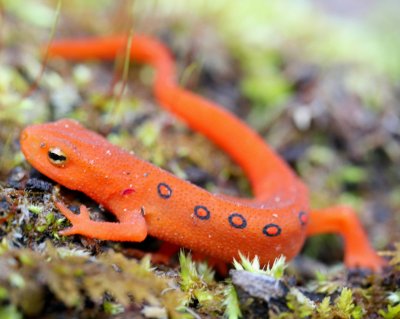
[{"x": 62, "y": 150}]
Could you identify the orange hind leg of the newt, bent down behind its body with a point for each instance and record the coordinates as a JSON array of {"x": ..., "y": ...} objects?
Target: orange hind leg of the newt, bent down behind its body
[{"x": 344, "y": 221}]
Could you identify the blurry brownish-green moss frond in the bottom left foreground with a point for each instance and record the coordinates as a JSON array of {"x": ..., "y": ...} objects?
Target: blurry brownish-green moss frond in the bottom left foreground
[{"x": 74, "y": 278}]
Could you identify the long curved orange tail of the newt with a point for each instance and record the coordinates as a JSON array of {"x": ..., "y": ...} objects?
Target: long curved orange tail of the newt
[{"x": 266, "y": 171}]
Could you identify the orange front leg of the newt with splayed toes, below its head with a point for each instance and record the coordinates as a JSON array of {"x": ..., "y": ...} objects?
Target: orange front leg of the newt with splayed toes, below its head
[{"x": 131, "y": 228}]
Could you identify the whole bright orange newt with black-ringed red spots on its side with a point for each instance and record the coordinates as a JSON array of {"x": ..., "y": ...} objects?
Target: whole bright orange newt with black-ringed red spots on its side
[{"x": 148, "y": 200}]
